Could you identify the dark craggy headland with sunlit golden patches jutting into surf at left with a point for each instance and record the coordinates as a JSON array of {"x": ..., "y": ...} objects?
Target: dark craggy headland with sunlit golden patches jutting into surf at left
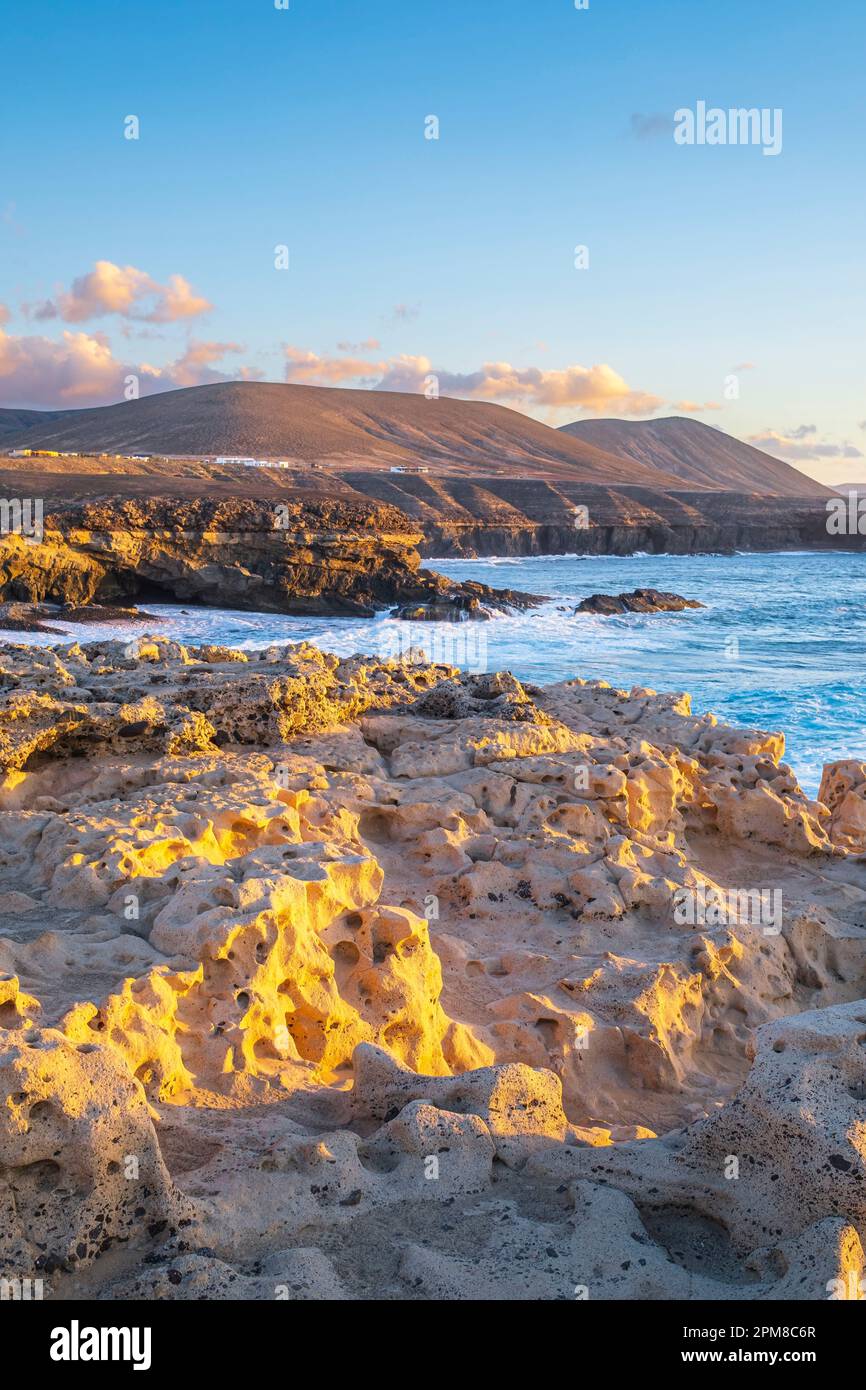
[{"x": 319, "y": 557}]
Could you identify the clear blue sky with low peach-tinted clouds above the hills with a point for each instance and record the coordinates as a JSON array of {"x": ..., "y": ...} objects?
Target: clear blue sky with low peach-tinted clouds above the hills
[{"x": 305, "y": 127}]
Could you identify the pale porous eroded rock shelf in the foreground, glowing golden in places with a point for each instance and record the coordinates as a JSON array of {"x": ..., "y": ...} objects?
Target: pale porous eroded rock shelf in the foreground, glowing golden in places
[{"x": 358, "y": 979}]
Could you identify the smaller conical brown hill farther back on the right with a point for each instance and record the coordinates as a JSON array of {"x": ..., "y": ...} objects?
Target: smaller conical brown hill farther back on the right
[{"x": 697, "y": 455}]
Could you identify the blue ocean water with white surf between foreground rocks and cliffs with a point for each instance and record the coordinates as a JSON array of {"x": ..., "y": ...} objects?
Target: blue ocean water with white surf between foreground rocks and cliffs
[{"x": 781, "y": 646}]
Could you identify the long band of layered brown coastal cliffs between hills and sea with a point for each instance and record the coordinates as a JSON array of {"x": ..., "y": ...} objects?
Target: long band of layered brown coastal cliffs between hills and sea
[{"x": 351, "y": 540}]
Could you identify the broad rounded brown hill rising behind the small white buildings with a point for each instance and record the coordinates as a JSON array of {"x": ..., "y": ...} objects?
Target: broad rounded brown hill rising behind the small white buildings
[{"x": 325, "y": 425}]
